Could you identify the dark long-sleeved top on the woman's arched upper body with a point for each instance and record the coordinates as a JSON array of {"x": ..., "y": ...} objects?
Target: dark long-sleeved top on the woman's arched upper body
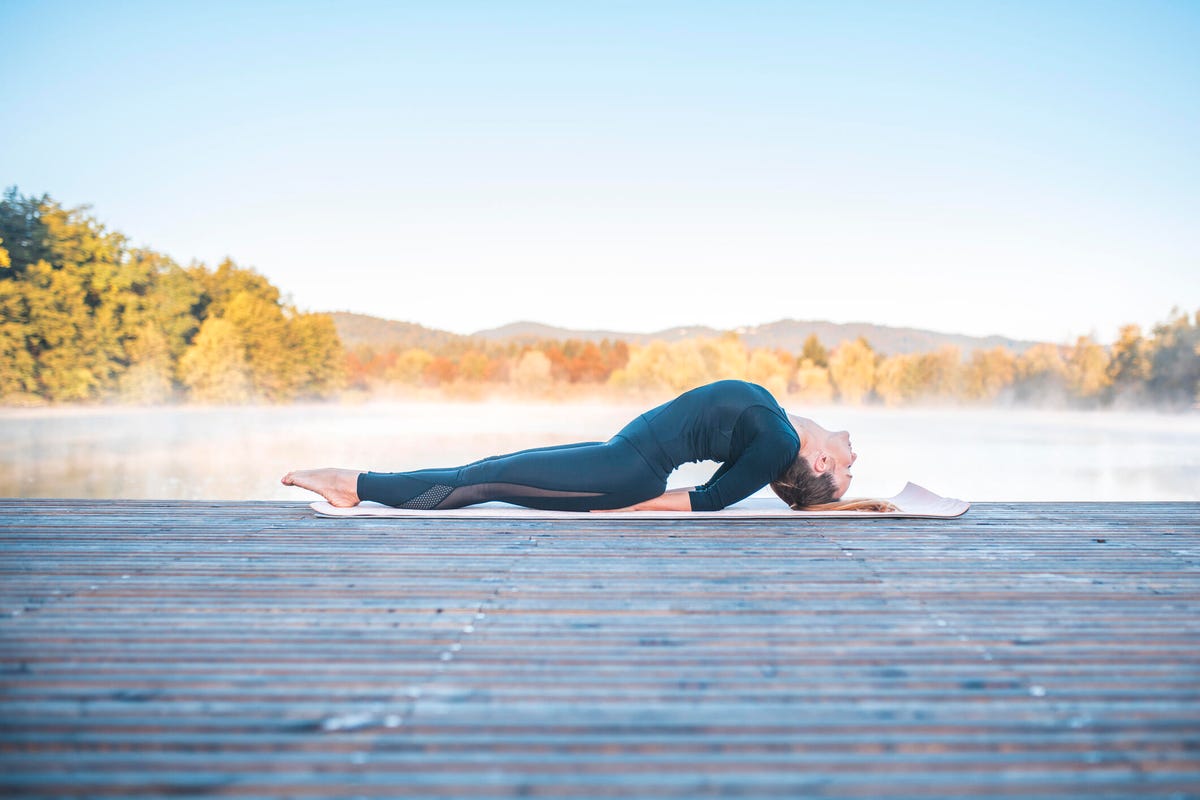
[{"x": 731, "y": 422}]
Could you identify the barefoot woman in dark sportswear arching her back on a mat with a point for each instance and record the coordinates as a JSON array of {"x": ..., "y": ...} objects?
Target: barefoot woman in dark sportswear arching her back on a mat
[{"x": 733, "y": 422}]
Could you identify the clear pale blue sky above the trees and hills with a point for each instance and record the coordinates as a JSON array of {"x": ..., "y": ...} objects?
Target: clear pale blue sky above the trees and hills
[{"x": 1019, "y": 169}]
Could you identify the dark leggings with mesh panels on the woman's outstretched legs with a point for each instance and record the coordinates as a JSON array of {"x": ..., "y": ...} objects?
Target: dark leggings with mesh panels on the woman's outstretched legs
[{"x": 563, "y": 478}]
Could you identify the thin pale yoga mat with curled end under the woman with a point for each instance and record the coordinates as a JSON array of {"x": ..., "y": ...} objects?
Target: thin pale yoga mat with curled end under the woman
[{"x": 913, "y": 501}]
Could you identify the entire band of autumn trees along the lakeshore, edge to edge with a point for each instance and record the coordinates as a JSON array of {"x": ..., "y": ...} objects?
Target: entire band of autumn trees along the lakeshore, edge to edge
[{"x": 87, "y": 317}]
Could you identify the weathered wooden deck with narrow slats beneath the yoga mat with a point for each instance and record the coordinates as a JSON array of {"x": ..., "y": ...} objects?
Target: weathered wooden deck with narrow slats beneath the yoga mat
[{"x": 251, "y": 649}]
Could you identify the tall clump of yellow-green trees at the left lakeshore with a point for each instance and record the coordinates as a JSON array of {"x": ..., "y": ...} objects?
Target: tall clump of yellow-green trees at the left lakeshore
[{"x": 87, "y": 317}]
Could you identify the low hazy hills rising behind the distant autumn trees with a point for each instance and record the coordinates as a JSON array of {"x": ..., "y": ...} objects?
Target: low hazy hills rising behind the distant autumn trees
[{"x": 787, "y": 334}]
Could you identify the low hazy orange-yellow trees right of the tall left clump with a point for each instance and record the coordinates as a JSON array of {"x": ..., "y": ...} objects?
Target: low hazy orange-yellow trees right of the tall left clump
[{"x": 1161, "y": 370}]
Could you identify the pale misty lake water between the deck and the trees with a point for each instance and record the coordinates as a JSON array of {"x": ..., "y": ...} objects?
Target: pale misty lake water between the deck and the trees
[{"x": 238, "y": 454}]
